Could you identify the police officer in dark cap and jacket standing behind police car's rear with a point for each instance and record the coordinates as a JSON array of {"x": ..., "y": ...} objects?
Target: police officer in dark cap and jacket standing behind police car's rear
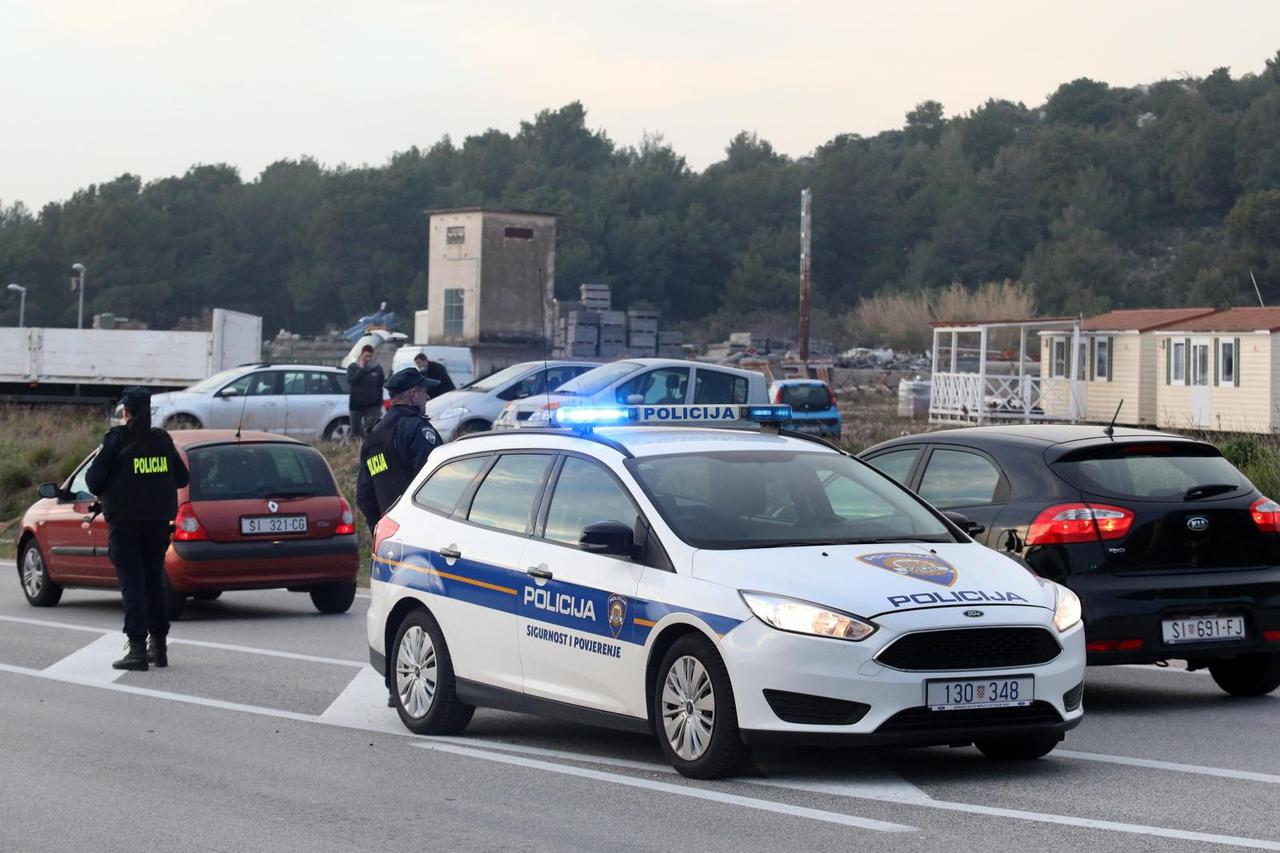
[{"x": 397, "y": 446}]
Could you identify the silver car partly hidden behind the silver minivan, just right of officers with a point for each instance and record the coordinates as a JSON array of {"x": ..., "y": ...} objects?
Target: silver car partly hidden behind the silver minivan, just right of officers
[{"x": 474, "y": 408}]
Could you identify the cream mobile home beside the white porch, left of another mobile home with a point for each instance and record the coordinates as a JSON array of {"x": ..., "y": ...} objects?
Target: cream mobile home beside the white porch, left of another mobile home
[{"x": 1119, "y": 366}]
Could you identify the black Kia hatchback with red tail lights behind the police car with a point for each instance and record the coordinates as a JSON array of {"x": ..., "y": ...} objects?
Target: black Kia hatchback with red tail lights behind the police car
[{"x": 1173, "y": 553}]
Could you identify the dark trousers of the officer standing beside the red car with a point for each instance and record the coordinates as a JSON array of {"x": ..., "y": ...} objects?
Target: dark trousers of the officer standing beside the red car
[{"x": 138, "y": 553}]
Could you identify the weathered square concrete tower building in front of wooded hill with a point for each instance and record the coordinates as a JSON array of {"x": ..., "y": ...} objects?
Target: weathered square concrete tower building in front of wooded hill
[{"x": 491, "y": 277}]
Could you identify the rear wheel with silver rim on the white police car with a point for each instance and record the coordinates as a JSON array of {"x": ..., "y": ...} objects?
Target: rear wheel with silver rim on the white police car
[{"x": 424, "y": 688}]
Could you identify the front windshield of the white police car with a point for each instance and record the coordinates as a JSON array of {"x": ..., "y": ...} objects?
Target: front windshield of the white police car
[{"x": 775, "y": 499}]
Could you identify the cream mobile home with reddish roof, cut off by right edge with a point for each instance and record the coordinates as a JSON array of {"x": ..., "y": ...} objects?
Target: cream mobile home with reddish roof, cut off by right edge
[{"x": 1220, "y": 373}]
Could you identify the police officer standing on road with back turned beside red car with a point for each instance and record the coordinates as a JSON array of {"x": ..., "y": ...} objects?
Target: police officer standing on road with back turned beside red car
[{"x": 136, "y": 477}]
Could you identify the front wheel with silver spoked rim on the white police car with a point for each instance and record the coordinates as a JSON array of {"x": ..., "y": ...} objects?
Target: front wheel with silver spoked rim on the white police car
[{"x": 694, "y": 710}]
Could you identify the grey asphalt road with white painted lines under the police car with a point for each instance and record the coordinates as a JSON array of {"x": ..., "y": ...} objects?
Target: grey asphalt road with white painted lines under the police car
[{"x": 269, "y": 733}]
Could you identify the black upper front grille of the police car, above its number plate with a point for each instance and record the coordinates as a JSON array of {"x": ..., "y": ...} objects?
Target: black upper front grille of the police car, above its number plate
[{"x": 972, "y": 649}]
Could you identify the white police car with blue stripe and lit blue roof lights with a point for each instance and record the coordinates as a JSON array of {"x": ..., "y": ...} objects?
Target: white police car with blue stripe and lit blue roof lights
[{"x": 716, "y": 587}]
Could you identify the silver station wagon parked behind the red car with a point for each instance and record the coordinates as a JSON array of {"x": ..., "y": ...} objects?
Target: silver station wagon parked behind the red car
[{"x": 300, "y": 400}]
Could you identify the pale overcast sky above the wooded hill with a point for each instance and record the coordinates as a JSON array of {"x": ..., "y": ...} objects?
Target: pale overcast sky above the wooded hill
[{"x": 95, "y": 89}]
